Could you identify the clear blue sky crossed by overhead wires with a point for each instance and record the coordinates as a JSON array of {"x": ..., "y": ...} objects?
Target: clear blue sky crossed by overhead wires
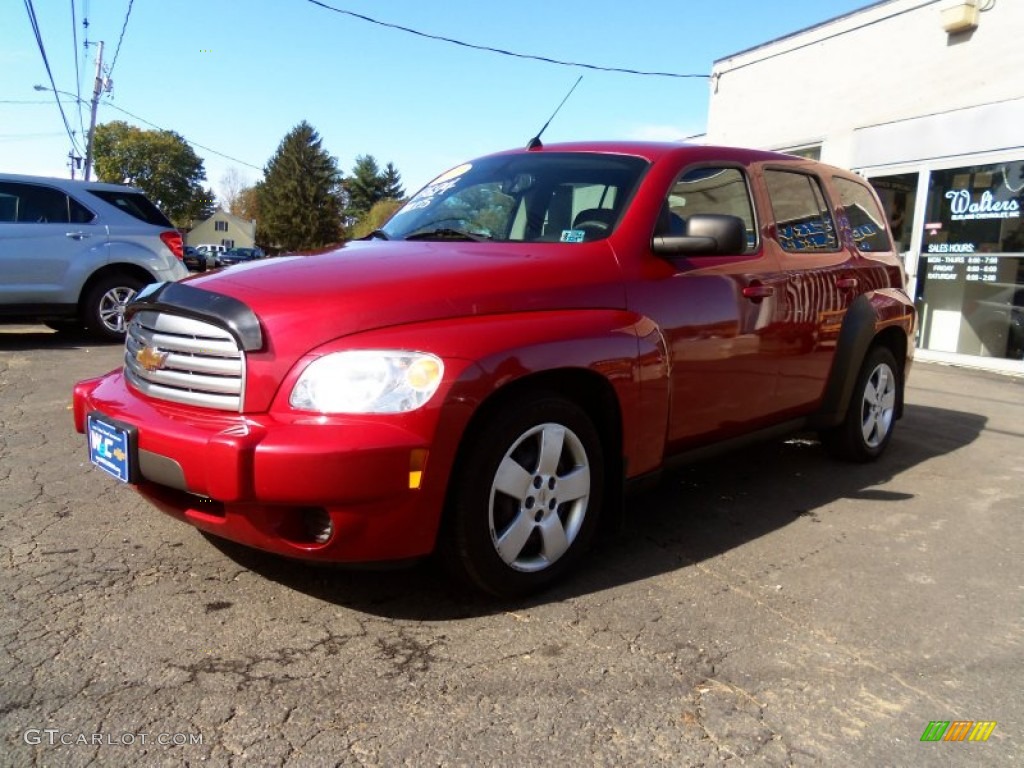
[{"x": 234, "y": 77}]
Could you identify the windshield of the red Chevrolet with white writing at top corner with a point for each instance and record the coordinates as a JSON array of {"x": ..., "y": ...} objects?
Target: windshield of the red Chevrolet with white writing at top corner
[{"x": 536, "y": 197}]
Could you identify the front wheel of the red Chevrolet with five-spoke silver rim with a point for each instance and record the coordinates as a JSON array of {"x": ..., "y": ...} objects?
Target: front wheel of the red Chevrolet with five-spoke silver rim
[{"x": 528, "y": 497}]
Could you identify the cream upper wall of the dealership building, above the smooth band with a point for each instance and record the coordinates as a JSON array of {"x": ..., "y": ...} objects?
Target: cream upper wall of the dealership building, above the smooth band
[{"x": 886, "y": 63}]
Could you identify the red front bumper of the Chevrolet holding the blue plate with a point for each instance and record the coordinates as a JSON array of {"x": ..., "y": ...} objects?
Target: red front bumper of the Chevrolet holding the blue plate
[{"x": 263, "y": 480}]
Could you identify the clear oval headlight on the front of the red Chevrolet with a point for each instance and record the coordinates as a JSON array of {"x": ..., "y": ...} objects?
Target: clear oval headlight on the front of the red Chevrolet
[{"x": 364, "y": 381}]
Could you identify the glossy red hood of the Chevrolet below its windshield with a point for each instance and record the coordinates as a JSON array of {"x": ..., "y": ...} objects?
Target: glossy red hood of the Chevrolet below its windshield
[{"x": 306, "y": 302}]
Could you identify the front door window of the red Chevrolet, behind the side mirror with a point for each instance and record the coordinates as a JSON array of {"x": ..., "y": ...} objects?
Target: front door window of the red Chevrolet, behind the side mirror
[{"x": 709, "y": 190}]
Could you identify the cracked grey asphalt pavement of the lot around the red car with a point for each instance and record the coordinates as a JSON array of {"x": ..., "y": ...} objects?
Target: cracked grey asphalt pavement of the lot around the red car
[{"x": 771, "y": 608}]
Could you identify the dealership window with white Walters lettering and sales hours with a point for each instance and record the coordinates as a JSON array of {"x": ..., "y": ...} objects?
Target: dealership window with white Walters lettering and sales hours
[{"x": 971, "y": 276}]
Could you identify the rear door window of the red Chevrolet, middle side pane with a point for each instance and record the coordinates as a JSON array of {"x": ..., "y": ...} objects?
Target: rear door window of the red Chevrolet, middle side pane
[{"x": 802, "y": 218}]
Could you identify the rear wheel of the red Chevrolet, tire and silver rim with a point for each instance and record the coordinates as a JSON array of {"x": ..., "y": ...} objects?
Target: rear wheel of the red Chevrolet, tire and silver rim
[{"x": 871, "y": 418}]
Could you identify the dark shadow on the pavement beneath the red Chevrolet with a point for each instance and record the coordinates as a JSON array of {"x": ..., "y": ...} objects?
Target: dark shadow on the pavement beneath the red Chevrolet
[{"x": 695, "y": 515}]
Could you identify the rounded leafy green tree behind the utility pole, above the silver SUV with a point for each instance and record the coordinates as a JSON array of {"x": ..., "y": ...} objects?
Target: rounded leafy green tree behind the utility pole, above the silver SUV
[{"x": 160, "y": 163}]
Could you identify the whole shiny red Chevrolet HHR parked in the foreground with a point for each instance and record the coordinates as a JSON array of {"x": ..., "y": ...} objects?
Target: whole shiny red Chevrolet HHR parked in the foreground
[{"x": 531, "y": 333}]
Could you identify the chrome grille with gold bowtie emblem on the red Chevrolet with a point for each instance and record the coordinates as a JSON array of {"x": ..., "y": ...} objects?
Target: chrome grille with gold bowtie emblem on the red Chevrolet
[{"x": 203, "y": 364}]
